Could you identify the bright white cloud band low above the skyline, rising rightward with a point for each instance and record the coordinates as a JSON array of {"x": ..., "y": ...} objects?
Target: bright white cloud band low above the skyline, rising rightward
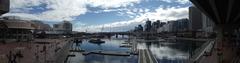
[{"x": 159, "y": 14}]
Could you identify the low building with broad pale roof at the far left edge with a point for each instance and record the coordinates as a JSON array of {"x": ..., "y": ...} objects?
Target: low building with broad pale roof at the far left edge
[{"x": 13, "y": 30}]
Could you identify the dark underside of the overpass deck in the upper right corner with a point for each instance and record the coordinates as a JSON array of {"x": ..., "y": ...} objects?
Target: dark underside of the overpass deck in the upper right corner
[{"x": 225, "y": 13}]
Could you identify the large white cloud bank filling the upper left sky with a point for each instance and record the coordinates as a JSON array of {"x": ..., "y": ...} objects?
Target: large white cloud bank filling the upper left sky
[{"x": 59, "y": 10}]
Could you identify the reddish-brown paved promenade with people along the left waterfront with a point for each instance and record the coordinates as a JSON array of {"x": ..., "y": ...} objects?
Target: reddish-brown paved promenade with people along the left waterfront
[{"x": 36, "y": 51}]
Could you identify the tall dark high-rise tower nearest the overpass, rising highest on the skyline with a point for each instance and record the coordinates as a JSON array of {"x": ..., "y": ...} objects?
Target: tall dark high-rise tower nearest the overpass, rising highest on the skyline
[{"x": 195, "y": 17}]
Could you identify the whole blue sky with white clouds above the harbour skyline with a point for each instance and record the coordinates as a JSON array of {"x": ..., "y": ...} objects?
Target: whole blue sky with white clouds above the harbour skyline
[{"x": 100, "y": 15}]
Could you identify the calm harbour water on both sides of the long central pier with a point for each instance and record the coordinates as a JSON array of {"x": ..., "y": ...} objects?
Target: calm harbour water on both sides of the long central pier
[{"x": 165, "y": 52}]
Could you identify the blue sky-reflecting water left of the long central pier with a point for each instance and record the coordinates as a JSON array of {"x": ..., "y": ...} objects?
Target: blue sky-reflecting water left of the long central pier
[{"x": 109, "y": 45}]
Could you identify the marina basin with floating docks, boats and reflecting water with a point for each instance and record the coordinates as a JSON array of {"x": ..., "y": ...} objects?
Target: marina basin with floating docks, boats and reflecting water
[{"x": 141, "y": 52}]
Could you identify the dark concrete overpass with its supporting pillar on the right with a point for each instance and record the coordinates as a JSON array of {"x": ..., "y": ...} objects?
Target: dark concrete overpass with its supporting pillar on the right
[{"x": 226, "y": 16}]
